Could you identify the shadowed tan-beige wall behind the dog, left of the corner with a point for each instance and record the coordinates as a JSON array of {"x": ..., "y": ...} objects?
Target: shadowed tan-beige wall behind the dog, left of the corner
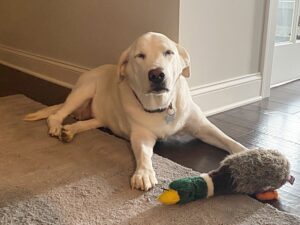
[{"x": 87, "y": 33}]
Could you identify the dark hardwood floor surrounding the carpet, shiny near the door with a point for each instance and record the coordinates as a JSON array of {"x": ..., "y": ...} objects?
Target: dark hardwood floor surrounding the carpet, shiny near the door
[{"x": 271, "y": 123}]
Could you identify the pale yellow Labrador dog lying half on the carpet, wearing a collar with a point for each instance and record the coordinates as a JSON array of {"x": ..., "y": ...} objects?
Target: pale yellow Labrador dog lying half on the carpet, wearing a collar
[{"x": 143, "y": 98}]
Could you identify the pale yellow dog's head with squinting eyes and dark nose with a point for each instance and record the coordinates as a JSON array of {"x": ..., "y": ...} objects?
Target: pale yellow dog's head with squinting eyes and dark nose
[{"x": 152, "y": 65}]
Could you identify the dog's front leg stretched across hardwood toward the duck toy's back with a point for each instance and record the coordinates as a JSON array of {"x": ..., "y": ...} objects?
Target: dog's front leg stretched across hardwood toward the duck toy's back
[{"x": 199, "y": 126}]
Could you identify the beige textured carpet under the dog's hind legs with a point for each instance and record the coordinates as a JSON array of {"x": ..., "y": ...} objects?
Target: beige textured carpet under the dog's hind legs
[{"x": 43, "y": 181}]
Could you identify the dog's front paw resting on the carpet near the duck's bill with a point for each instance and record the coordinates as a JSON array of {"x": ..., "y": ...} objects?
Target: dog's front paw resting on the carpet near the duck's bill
[{"x": 143, "y": 179}]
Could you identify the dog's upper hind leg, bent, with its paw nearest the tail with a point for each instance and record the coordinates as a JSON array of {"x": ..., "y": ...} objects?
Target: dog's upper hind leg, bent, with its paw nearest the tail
[{"x": 75, "y": 99}]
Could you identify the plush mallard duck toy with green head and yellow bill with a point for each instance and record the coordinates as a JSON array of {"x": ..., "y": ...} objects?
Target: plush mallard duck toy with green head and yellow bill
[{"x": 254, "y": 172}]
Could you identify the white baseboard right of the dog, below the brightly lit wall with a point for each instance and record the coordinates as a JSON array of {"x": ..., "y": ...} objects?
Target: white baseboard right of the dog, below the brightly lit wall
[{"x": 228, "y": 94}]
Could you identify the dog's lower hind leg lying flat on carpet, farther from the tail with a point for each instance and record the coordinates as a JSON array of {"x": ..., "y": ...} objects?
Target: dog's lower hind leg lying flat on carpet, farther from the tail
[{"x": 69, "y": 131}]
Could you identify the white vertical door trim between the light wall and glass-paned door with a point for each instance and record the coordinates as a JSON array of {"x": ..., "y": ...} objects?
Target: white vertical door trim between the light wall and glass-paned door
[{"x": 268, "y": 46}]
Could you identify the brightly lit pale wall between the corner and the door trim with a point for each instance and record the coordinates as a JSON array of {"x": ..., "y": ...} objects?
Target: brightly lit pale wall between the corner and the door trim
[{"x": 224, "y": 38}]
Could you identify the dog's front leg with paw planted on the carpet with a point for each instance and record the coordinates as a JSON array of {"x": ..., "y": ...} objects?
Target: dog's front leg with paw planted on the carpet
[{"x": 142, "y": 142}]
